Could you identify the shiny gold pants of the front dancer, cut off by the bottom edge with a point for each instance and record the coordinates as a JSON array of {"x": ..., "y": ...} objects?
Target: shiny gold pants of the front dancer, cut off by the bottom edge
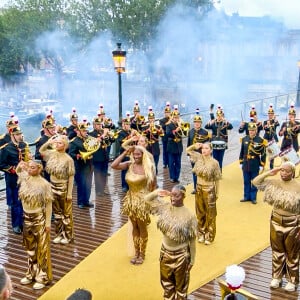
[{"x": 174, "y": 274}]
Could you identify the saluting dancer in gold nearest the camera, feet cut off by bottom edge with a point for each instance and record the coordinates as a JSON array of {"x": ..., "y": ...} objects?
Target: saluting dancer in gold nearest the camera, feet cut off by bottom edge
[{"x": 177, "y": 254}]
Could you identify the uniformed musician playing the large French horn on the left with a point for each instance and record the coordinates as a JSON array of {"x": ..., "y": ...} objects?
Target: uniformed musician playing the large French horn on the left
[{"x": 83, "y": 166}]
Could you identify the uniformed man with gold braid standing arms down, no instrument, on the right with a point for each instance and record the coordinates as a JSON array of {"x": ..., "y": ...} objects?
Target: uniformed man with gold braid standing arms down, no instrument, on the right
[{"x": 252, "y": 159}]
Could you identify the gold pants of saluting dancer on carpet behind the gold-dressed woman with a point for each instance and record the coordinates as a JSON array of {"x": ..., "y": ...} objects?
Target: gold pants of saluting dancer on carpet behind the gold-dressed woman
[{"x": 206, "y": 211}]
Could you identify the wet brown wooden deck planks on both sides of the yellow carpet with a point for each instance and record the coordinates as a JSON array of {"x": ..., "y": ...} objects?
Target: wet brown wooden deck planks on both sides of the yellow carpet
[{"x": 94, "y": 226}]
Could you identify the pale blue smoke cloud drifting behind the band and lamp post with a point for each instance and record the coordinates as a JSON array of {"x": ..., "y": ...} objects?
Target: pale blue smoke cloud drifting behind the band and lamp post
[{"x": 192, "y": 63}]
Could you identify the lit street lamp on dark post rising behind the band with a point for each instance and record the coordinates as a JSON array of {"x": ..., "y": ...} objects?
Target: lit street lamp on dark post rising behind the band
[{"x": 119, "y": 57}]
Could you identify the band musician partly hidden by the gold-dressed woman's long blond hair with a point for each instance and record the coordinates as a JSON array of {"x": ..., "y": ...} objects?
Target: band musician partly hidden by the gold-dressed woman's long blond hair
[{"x": 153, "y": 132}]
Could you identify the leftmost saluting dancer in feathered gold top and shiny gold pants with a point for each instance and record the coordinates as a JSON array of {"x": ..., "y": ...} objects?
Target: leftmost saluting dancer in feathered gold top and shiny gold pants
[{"x": 36, "y": 196}]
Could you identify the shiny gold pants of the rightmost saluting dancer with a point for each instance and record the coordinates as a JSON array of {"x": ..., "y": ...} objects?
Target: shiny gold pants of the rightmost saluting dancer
[{"x": 285, "y": 244}]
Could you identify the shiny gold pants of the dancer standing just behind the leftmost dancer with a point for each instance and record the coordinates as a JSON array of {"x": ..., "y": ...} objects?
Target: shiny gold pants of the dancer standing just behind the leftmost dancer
[{"x": 62, "y": 210}]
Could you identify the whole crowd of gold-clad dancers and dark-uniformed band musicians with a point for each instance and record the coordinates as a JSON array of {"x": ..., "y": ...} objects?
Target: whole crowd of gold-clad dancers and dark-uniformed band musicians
[{"x": 39, "y": 186}]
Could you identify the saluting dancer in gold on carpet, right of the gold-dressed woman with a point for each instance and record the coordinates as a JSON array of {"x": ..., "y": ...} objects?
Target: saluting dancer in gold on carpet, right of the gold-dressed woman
[{"x": 208, "y": 172}]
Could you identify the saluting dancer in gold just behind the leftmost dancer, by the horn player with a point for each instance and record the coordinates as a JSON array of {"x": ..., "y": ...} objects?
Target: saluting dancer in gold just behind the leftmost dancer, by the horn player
[{"x": 61, "y": 168}]
